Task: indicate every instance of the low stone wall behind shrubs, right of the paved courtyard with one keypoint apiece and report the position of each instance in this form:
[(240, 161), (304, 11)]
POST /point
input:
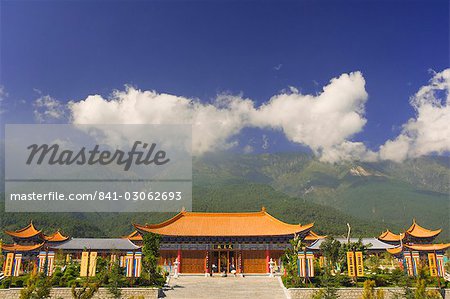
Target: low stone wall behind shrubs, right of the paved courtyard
[(353, 293)]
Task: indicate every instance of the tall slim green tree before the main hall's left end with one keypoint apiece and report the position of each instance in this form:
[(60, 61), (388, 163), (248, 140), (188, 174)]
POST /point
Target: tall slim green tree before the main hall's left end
[(150, 252)]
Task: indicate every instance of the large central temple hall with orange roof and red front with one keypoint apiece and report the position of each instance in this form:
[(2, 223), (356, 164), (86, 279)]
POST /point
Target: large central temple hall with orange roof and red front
[(221, 242)]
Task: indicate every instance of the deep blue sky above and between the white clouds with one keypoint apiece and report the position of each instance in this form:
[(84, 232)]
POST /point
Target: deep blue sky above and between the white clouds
[(72, 49)]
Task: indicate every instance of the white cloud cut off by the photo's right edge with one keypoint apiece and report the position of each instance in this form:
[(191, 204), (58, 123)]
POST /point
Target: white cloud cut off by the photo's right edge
[(429, 131)]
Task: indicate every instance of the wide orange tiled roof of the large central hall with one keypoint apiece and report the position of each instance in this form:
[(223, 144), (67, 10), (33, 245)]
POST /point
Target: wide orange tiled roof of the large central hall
[(224, 224)]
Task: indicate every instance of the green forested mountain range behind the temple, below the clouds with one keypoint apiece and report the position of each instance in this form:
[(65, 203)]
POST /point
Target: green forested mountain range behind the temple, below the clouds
[(294, 187)]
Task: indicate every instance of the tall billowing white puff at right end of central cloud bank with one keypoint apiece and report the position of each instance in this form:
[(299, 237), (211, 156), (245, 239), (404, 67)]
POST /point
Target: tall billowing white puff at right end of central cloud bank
[(323, 122)]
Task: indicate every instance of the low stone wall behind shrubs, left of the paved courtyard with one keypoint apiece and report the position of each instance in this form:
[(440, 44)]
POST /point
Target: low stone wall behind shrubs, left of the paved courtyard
[(66, 293)]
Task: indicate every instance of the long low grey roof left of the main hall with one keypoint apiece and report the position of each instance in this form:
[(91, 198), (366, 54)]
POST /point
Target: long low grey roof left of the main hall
[(96, 244)]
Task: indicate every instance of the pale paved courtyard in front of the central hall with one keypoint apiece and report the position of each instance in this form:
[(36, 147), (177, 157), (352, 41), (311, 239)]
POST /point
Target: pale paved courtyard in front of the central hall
[(260, 287)]
